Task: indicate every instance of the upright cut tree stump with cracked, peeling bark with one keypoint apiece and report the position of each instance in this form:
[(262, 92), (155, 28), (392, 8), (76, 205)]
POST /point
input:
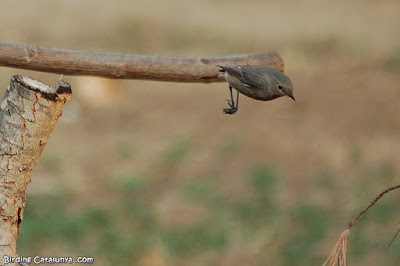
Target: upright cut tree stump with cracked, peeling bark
[(28, 113)]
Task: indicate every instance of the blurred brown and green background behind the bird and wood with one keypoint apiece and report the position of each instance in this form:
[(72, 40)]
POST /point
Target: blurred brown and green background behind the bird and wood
[(153, 173)]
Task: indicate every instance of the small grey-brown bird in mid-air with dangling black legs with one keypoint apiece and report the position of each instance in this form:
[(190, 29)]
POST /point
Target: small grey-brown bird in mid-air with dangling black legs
[(255, 81)]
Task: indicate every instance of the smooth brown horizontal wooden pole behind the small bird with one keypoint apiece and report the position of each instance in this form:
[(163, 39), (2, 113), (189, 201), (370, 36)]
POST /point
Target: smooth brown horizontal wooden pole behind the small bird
[(127, 66)]
